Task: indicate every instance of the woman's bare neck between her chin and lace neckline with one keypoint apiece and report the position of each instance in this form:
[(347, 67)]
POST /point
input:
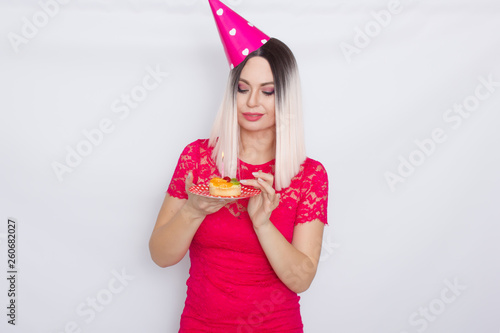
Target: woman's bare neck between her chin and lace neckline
[(257, 147)]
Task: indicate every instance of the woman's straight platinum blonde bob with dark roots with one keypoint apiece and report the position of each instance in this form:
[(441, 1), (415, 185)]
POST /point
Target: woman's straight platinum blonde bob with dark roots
[(290, 145)]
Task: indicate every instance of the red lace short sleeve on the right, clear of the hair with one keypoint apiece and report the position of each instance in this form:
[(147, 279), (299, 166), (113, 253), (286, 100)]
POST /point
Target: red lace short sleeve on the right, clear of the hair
[(314, 194)]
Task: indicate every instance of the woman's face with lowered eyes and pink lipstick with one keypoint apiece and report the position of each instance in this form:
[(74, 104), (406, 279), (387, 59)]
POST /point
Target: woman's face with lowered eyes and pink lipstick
[(255, 96)]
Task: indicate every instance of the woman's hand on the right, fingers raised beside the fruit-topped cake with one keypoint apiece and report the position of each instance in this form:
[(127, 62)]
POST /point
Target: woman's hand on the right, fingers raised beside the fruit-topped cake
[(262, 205)]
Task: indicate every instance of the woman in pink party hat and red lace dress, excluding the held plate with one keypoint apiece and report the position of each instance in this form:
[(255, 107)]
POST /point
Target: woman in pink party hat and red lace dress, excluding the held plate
[(249, 257)]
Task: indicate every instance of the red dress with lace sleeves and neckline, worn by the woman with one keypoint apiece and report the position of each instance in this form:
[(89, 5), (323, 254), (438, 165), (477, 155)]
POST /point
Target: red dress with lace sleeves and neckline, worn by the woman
[(232, 287)]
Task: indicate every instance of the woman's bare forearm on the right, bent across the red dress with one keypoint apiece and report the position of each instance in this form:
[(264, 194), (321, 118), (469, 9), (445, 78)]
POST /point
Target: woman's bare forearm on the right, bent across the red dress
[(295, 269)]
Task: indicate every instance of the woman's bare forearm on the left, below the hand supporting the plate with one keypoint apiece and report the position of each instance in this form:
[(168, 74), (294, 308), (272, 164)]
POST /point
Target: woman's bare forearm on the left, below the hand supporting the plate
[(170, 242)]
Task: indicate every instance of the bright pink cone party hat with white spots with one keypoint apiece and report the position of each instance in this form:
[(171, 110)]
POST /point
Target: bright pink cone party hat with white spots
[(238, 36)]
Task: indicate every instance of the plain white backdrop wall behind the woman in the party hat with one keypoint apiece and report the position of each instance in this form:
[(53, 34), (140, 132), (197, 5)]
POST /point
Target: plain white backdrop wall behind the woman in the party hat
[(388, 256)]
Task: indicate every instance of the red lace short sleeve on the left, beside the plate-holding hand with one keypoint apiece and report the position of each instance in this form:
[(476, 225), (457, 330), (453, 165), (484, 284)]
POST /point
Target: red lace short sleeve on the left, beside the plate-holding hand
[(188, 161)]
